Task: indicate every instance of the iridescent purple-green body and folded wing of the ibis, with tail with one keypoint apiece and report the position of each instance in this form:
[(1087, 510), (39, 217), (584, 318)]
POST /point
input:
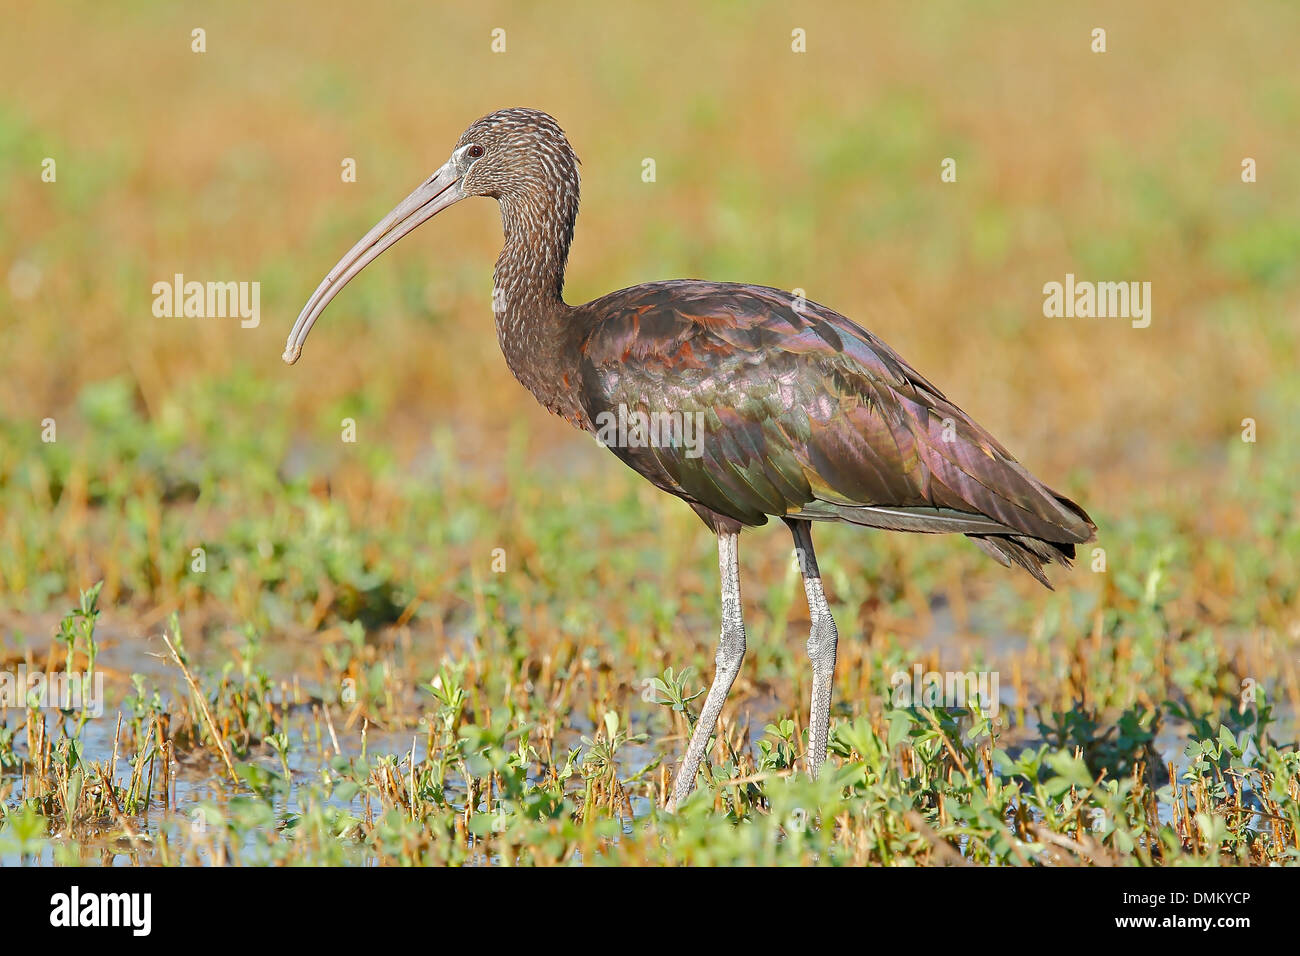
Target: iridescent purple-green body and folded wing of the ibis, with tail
[(803, 413)]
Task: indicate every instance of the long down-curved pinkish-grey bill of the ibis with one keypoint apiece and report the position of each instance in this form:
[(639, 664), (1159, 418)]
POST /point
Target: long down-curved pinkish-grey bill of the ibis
[(431, 198)]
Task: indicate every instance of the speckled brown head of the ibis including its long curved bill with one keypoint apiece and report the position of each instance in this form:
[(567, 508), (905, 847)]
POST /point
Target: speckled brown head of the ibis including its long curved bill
[(521, 158)]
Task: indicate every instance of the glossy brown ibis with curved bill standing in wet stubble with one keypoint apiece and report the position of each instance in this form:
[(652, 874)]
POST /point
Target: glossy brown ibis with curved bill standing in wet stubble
[(744, 401)]
